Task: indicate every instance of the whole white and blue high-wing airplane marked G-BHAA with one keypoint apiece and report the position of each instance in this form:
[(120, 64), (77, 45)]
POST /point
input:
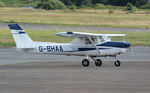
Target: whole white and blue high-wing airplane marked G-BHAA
[(84, 44)]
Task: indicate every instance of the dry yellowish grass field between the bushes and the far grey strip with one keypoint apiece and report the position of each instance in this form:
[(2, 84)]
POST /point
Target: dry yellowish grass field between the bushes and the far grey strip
[(140, 19)]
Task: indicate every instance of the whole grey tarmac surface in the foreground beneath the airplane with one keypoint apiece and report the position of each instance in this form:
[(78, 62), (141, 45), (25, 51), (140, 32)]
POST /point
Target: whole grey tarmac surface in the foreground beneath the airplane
[(35, 73)]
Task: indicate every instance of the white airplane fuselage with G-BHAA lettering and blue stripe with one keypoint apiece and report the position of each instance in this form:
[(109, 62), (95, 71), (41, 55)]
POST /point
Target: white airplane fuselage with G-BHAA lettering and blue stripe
[(73, 49)]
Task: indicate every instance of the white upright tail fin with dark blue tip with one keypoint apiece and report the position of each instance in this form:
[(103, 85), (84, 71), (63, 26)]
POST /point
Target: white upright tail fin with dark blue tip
[(21, 39)]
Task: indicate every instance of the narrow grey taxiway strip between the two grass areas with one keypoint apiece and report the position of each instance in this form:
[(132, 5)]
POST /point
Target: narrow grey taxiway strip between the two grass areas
[(75, 28)]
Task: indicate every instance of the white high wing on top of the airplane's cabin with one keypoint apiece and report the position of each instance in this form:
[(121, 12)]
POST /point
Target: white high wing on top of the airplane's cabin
[(86, 35)]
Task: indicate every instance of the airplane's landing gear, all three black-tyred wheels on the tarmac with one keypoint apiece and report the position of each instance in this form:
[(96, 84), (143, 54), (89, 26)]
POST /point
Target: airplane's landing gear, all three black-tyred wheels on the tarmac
[(98, 62)]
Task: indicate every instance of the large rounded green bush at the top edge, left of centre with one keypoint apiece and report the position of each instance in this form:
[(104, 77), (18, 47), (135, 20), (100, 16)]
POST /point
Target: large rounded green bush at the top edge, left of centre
[(51, 5)]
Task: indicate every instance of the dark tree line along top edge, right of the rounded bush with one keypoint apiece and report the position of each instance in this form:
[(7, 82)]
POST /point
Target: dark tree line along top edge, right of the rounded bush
[(91, 3)]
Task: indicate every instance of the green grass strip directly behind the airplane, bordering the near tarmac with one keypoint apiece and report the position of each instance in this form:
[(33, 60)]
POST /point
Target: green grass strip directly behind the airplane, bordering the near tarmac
[(6, 39)]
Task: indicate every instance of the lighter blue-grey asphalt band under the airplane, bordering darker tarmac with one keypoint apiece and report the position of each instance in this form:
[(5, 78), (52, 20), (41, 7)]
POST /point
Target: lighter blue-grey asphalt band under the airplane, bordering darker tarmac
[(11, 56)]
